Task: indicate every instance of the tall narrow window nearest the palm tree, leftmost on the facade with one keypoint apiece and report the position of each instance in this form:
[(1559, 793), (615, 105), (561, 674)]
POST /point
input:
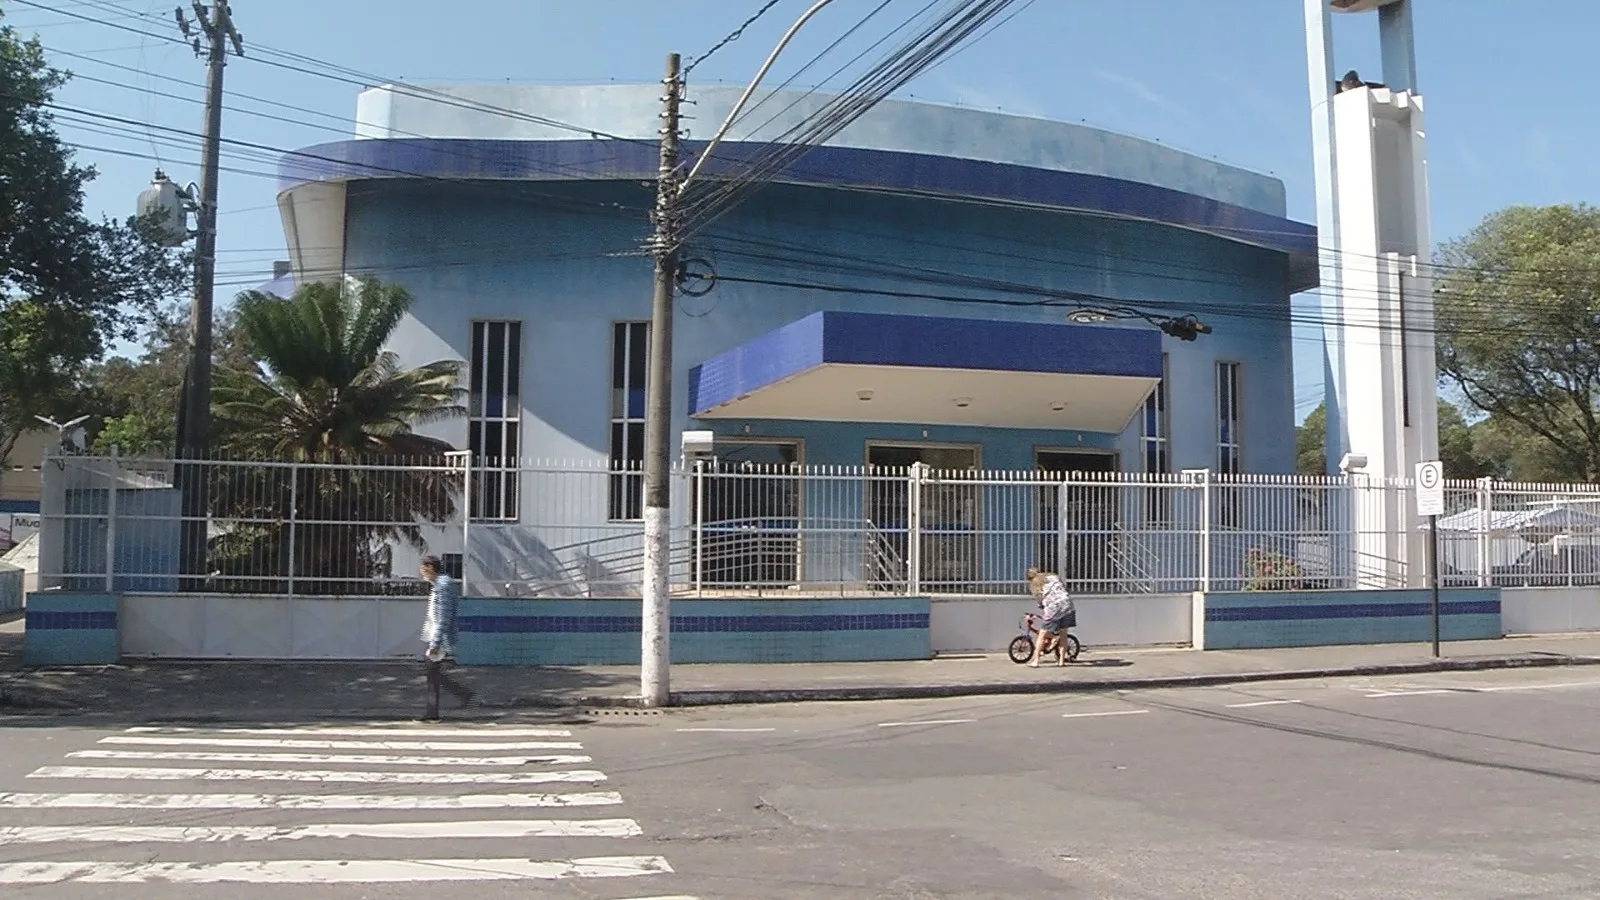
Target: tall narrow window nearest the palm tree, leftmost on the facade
[(495, 419)]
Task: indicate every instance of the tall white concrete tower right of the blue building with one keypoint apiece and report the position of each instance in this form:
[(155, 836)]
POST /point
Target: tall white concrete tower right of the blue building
[(1377, 289)]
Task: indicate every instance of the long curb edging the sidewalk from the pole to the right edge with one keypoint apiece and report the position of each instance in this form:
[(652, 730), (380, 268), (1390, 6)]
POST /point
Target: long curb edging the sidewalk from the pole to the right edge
[(991, 689)]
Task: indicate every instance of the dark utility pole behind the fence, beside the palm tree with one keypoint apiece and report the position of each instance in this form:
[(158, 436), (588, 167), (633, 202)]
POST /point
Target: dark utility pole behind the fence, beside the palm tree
[(194, 414)]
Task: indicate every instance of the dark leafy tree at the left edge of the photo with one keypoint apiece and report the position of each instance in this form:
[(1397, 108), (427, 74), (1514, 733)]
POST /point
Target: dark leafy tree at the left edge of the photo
[(68, 286)]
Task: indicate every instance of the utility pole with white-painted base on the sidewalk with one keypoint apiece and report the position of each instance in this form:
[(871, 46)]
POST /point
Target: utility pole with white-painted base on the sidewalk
[(655, 645)]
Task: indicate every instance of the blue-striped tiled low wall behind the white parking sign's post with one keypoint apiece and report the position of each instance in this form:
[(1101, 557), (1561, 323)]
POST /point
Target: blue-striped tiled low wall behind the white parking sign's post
[(1319, 619)]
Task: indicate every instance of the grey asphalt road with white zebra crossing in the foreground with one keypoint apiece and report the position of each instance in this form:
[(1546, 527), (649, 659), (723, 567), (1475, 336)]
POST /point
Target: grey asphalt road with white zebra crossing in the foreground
[(1444, 787)]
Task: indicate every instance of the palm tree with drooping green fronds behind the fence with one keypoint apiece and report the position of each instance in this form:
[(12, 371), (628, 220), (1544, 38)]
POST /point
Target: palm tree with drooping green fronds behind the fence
[(327, 395)]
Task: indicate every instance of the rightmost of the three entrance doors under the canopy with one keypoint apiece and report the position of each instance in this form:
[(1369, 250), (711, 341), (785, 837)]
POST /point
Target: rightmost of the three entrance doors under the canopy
[(1082, 556)]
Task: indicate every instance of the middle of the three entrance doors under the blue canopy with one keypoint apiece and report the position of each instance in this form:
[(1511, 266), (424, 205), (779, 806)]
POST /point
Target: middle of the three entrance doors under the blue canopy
[(950, 512)]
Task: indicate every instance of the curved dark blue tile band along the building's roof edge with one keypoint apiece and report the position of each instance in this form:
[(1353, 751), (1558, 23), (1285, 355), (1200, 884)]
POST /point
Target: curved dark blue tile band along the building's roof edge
[(825, 167)]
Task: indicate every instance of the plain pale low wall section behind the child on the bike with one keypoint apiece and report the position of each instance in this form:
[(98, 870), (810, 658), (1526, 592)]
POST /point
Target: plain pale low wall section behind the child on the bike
[(1135, 621)]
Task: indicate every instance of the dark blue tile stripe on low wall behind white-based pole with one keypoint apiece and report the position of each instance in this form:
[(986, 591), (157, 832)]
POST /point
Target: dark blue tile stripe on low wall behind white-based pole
[(690, 624)]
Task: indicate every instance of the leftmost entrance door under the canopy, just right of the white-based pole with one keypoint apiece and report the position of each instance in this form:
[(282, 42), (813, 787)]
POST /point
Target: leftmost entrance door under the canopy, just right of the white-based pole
[(750, 515)]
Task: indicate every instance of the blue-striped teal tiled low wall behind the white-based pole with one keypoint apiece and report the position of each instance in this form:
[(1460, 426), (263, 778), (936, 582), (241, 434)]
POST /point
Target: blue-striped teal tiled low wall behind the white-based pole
[(575, 633)]
